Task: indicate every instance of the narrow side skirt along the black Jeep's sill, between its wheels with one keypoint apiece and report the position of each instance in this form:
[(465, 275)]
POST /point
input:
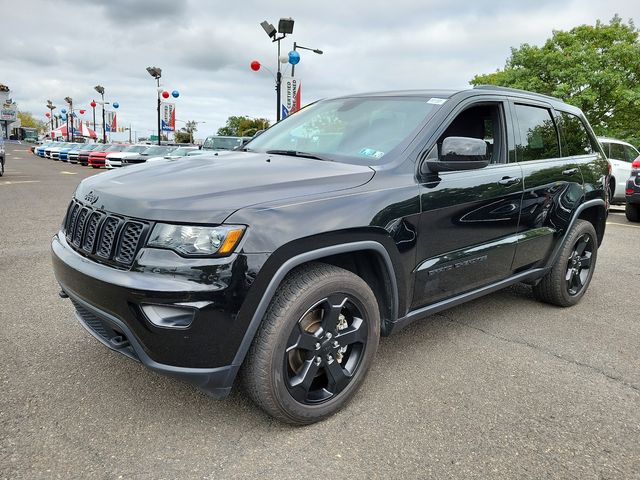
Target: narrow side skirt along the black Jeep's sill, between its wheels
[(420, 313)]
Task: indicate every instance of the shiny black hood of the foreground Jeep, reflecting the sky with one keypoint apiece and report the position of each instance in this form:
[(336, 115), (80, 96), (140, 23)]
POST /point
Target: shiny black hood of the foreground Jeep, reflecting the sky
[(208, 188)]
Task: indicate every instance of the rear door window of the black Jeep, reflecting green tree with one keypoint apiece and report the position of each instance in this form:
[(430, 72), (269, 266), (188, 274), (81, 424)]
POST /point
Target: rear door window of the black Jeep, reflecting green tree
[(538, 134)]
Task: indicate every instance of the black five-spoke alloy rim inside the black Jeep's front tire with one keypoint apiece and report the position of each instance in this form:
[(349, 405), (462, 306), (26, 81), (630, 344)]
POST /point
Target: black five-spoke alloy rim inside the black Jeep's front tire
[(325, 349)]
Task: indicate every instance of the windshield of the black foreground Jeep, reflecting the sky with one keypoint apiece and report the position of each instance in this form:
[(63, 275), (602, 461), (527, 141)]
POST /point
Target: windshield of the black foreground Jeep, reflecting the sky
[(358, 130)]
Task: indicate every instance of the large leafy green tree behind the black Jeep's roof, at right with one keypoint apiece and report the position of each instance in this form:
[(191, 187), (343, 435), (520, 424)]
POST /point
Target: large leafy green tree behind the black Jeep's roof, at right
[(596, 68)]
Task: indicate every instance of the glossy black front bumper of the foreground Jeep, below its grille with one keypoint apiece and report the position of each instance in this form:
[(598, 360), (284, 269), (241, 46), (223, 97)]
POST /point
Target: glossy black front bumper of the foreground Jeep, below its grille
[(109, 303)]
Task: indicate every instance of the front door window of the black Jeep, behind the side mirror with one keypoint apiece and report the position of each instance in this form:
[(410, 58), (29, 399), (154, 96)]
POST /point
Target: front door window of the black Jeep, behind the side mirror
[(481, 122)]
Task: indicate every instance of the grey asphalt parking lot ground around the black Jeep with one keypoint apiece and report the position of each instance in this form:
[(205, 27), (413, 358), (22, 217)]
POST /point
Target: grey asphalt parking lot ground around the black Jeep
[(501, 387)]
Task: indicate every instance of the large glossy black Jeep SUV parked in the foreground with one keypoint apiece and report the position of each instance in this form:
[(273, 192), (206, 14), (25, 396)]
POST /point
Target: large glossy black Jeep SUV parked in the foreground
[(342, 223)]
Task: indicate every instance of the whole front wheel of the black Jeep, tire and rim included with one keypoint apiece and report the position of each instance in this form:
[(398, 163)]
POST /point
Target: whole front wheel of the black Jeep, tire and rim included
[(315, 344)]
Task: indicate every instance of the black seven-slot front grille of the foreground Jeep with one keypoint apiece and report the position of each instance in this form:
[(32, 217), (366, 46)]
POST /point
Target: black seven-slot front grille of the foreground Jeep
[(107, 238)]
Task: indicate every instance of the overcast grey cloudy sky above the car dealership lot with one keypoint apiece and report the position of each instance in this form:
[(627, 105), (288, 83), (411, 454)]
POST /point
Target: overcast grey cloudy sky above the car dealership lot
[(50, 50)]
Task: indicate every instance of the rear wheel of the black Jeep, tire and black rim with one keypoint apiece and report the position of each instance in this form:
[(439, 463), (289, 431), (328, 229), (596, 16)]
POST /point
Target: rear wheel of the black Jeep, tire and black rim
[(568, 280)]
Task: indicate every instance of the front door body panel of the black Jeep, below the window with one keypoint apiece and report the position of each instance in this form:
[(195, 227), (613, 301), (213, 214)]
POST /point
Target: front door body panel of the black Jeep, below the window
[(467, 231)]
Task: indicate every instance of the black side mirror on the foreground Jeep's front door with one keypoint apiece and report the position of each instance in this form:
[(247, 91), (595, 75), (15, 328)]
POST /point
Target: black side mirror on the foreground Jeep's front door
[(458, 153)]
